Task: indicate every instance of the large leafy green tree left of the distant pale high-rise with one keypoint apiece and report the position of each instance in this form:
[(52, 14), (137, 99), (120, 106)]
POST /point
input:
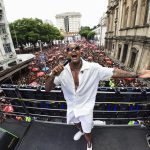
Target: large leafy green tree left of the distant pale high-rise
[(29, 30)]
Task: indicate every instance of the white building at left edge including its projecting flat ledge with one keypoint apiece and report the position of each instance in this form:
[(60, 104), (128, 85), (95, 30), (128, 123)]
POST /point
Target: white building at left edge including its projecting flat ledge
[(10, 63)]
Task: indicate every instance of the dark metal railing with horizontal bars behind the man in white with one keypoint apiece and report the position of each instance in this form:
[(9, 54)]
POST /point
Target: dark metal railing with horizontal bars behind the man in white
[(120, 104)]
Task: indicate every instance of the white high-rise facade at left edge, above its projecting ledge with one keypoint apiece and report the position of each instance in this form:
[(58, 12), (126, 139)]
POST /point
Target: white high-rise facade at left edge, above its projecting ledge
[(7, 51)]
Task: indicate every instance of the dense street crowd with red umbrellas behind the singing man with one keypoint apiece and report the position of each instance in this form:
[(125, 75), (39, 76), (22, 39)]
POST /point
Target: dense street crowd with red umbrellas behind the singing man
[(48, 58)]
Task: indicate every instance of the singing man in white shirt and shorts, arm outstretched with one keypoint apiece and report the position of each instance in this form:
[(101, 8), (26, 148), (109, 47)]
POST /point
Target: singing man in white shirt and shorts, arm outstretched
[(79, 81)]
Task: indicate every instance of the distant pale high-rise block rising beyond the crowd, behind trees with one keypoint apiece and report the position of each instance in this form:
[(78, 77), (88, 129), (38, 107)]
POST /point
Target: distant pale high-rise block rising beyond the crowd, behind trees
[(69, 22)]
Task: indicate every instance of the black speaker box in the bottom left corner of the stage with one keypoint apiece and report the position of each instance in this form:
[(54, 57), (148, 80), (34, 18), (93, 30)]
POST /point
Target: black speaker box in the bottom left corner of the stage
[(8, 141)]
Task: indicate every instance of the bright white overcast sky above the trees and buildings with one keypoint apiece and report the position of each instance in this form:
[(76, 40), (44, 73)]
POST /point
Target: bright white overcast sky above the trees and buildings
[(91, 10)]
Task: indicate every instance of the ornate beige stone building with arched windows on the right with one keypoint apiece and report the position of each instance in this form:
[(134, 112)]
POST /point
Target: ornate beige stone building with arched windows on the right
[(128, 32)]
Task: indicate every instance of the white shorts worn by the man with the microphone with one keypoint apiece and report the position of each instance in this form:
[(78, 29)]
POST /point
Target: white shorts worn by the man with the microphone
[(86, 121)]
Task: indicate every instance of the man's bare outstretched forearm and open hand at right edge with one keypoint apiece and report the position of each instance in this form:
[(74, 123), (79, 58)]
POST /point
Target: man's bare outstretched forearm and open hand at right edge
[(119, 73)]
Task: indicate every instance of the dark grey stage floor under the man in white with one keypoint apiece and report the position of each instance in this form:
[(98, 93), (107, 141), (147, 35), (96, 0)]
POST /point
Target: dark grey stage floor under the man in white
[(48, 136)]
